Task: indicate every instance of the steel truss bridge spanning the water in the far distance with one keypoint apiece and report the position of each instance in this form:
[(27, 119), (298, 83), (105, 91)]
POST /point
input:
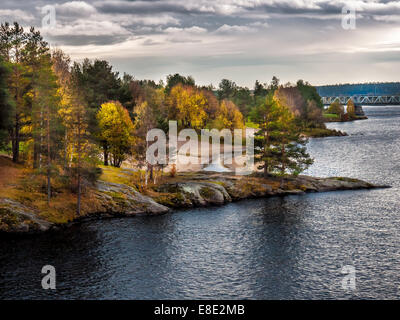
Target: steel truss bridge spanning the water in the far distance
[(363, 99)]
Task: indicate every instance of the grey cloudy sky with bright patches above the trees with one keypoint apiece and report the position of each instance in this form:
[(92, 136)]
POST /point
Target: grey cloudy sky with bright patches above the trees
[(242, 40)]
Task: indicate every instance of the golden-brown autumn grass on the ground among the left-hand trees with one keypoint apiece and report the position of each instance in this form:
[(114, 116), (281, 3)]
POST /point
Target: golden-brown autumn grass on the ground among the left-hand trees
[(24, 186)]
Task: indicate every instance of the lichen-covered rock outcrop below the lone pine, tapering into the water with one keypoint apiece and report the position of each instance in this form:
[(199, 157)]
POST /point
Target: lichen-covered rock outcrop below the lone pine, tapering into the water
[(220, 188)]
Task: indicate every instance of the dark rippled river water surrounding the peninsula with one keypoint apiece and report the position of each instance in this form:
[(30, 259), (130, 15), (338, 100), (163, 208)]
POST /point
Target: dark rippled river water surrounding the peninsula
[(278, 248)]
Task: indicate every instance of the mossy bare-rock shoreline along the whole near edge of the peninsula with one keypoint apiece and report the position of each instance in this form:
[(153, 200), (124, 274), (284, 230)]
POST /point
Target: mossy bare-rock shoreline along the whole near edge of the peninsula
[(185, 191)]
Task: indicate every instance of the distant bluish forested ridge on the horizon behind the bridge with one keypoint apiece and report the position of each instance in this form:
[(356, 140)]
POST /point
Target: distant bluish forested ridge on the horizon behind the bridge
[(384, 88)]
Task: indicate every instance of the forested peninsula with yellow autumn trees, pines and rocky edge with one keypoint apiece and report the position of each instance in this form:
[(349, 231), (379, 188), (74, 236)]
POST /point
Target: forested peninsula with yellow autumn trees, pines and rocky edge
[(73, 138)]
